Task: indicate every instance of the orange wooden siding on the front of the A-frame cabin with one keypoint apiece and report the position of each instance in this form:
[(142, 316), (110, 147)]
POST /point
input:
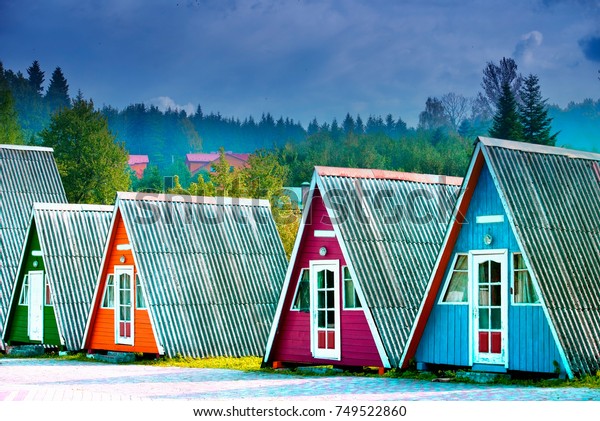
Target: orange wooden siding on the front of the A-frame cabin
[(102, 327)]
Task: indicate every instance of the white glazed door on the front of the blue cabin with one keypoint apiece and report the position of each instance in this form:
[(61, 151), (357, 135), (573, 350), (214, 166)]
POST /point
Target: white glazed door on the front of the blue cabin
[(489, 326)]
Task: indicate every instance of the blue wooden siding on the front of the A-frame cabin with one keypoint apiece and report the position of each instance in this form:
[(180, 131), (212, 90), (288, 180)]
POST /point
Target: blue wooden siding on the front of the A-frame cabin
[(445, 340)]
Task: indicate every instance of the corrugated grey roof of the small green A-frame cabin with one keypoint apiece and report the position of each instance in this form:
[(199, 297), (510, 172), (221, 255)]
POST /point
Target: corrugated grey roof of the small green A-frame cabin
[(72, 239)]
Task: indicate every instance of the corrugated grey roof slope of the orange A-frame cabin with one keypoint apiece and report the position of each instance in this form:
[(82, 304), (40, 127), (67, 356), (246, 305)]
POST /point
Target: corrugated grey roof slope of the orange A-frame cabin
[(212, 268)]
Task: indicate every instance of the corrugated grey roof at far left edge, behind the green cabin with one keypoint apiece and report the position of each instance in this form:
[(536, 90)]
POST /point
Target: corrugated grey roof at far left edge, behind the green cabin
[(27, 175)]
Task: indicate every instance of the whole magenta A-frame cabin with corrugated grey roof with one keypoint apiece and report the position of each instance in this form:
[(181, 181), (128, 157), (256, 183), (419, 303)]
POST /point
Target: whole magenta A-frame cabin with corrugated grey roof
[(363, 254)]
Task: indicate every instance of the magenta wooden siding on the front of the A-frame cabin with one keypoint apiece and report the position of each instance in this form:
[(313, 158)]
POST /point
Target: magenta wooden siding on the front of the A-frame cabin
[(292, 341)]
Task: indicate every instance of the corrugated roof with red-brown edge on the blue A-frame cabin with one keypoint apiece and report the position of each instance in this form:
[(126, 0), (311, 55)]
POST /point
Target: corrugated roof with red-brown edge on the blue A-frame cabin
[(551, 197)]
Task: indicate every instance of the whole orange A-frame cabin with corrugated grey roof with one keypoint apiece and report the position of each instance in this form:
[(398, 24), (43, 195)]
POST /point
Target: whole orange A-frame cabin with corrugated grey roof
[(187, 275)]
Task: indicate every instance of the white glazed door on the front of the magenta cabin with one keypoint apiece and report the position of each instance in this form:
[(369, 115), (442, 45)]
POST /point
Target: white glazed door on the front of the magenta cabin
[(325, 309)]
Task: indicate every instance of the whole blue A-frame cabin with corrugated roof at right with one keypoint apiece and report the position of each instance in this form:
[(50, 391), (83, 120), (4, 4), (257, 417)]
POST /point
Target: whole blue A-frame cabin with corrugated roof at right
[(516, 286)]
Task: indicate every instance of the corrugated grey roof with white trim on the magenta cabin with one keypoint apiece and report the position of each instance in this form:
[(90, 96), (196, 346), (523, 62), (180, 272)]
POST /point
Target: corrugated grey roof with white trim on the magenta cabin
[(390, 226)]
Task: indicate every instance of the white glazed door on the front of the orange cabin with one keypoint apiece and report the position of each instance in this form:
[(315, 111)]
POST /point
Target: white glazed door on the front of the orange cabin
[(124, 305)]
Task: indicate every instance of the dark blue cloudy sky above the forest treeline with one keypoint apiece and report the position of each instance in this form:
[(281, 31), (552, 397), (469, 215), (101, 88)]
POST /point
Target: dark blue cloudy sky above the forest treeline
[(301, 58)]
